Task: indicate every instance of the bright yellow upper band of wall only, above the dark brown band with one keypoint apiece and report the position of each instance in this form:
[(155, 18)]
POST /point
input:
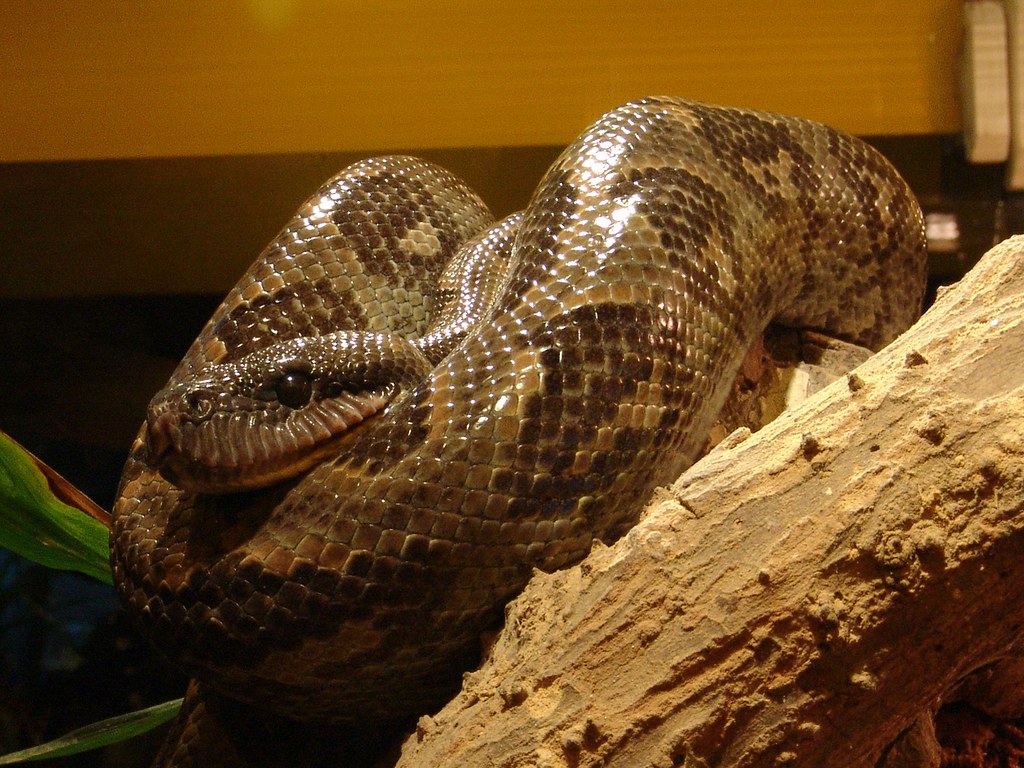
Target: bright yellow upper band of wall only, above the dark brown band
[(88, 79)]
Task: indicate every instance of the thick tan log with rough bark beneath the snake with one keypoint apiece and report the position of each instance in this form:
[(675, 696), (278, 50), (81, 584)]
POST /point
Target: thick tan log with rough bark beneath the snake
[(806, 596)]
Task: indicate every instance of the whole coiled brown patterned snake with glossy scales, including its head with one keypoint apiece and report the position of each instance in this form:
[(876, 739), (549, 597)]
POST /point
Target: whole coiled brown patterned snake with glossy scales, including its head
[(405, 408)]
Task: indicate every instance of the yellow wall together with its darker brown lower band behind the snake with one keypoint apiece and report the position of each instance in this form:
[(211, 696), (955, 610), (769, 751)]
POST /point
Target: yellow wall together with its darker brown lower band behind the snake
[(291, 91)]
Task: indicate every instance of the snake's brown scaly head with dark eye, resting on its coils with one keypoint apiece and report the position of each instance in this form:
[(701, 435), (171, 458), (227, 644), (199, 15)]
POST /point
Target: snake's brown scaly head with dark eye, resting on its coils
[(276, 413)]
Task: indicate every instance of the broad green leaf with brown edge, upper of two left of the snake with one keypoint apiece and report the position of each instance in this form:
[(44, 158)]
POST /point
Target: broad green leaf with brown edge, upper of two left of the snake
[(39, 527)]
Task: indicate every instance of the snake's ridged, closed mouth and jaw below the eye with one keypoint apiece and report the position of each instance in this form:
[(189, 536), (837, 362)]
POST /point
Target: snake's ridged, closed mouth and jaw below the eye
[(229, 452)]
